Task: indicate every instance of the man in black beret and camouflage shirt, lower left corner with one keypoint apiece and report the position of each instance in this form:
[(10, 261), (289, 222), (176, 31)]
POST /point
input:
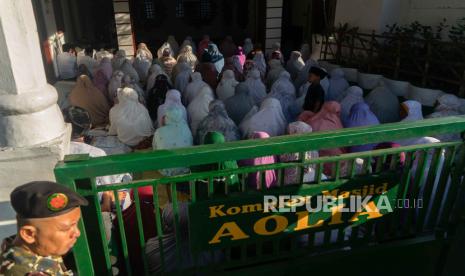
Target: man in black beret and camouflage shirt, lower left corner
[(47, 215)]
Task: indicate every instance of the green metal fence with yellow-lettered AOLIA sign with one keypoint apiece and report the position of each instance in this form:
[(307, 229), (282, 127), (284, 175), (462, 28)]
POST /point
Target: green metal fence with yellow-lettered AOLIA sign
[(226, 229)]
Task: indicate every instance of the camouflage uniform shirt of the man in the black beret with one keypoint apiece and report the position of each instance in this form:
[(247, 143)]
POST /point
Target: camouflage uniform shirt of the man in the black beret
[(17, 261)]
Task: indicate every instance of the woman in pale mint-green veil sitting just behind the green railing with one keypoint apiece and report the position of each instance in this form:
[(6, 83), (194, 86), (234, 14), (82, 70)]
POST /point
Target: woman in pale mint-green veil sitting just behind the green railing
[(174, 133)]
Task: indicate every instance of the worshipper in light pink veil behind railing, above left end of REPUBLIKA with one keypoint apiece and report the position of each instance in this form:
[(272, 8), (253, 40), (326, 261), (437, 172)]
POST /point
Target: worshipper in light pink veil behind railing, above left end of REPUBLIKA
[(270, 175)]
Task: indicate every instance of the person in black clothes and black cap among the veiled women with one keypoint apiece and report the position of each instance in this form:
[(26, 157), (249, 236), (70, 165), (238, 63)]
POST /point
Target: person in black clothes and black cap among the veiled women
[(315, 97)]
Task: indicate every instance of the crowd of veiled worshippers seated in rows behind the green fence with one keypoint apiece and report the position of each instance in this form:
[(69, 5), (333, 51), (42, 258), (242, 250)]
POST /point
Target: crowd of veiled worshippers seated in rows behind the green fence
[(204, 94)]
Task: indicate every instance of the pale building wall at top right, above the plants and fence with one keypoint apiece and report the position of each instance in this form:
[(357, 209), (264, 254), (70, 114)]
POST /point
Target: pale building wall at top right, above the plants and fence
[(371, 15)]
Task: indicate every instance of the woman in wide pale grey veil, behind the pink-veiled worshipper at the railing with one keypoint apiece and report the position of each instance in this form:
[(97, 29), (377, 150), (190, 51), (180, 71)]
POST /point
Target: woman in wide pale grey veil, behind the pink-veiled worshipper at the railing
[(269, 119)]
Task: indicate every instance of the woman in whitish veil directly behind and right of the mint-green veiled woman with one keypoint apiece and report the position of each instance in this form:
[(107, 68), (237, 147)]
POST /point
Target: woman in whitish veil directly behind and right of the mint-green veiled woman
[(198, 109)]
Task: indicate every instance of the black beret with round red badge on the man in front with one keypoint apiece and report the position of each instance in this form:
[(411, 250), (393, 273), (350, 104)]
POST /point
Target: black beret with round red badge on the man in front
[(44, 199)]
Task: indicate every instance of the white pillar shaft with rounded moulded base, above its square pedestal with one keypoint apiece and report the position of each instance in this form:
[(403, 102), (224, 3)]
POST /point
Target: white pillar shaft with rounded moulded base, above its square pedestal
[(29, 115)]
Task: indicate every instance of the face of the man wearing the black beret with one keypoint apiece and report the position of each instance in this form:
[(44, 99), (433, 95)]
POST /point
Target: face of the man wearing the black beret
[(57, 235)]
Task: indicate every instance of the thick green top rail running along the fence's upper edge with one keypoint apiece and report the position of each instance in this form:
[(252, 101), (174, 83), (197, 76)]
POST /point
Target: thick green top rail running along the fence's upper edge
[(147, 161)]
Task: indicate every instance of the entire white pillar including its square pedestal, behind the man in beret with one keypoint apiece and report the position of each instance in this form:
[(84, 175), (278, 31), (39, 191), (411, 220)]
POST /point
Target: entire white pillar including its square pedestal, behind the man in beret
[(33, 135)]
